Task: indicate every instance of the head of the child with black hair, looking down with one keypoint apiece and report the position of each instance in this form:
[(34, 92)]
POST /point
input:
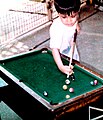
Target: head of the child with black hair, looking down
[(67, 10)]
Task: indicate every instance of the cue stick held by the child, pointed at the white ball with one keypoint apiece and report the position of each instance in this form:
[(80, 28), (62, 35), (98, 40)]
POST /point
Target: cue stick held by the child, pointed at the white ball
[(72, 50)]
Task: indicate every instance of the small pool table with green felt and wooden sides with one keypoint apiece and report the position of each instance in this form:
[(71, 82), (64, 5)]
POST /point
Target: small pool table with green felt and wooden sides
[(35, 73)]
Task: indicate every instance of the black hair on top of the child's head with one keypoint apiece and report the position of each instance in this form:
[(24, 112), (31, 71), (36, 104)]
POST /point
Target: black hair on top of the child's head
[(67, 6)]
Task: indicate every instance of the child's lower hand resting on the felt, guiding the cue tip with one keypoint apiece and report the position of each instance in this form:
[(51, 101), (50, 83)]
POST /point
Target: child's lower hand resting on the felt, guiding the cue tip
[(66, 69)]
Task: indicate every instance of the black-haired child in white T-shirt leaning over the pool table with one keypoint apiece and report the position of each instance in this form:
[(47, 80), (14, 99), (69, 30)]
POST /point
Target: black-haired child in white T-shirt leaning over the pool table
[(62, 32)]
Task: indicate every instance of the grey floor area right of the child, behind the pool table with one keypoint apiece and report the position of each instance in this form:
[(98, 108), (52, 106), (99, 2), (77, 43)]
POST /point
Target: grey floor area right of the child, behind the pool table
[(90, 42)]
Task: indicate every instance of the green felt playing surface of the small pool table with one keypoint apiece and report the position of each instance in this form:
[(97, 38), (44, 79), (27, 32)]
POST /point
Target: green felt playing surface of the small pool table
[(39, 72)]
